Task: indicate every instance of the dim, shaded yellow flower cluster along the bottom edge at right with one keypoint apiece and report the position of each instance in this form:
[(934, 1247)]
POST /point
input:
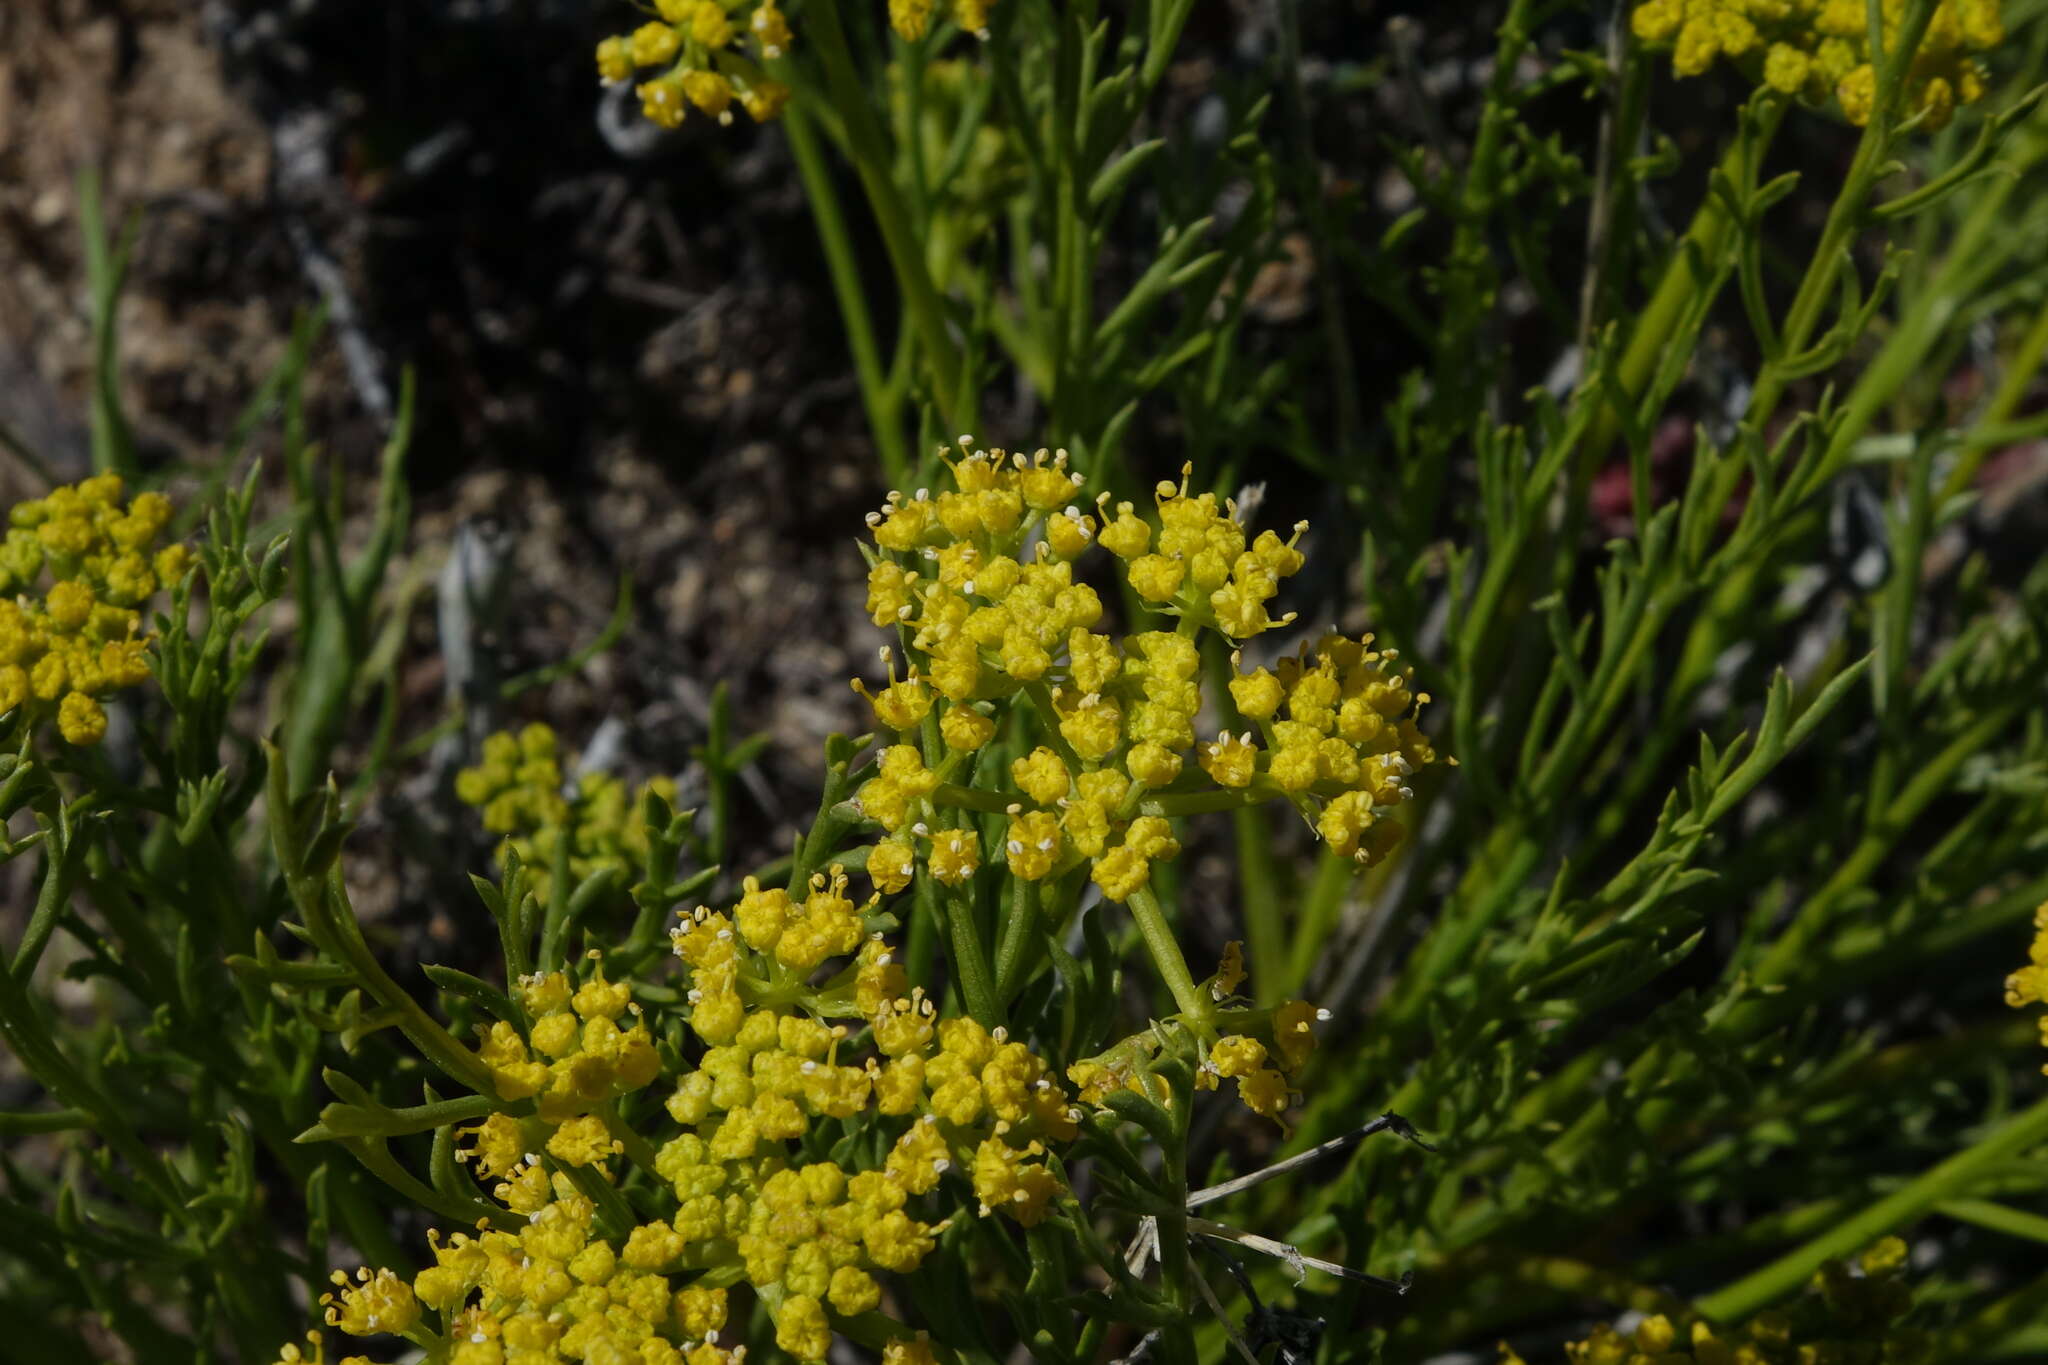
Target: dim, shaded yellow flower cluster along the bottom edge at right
[(1846, 1317)]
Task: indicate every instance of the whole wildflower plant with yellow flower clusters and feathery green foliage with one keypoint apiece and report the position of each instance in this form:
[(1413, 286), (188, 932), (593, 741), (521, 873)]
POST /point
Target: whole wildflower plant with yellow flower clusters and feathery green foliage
[(1629, 787)]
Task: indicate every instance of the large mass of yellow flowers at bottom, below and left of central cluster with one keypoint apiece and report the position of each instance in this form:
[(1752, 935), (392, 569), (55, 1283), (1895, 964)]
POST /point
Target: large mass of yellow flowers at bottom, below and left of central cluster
[(810, 1237)]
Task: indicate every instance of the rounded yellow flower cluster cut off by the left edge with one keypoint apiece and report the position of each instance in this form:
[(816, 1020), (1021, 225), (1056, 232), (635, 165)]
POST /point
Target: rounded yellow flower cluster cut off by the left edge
[(60, 654)]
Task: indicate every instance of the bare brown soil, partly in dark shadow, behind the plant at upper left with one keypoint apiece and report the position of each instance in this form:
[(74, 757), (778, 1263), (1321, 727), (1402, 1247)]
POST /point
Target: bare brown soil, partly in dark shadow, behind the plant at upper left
[(628, 367)]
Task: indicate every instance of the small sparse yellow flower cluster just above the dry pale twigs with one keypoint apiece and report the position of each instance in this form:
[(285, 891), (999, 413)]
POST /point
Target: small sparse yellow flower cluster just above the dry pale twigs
[(1263, 1051)]
